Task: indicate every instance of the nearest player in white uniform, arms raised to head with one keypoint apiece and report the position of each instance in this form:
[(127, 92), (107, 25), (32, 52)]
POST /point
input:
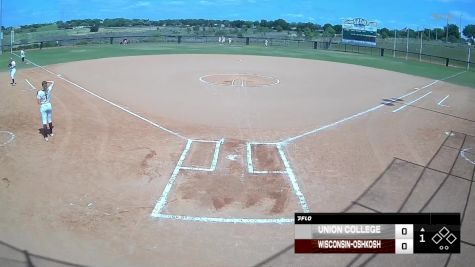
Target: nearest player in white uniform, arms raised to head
[(44, 97)]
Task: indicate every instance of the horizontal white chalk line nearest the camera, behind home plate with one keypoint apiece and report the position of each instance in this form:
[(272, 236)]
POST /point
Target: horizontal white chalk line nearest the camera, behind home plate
[(225, 220)]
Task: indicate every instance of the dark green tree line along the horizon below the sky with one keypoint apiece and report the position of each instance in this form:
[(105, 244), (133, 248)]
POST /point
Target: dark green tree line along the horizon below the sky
[(452, 34)]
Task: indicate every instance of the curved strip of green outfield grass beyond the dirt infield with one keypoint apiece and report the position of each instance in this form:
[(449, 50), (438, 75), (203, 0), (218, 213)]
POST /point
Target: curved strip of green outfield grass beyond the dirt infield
[(67, 54)]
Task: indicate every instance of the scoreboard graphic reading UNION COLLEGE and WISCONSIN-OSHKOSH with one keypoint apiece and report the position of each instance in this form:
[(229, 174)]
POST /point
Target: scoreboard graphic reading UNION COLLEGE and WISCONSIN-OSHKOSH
[(393, 233)]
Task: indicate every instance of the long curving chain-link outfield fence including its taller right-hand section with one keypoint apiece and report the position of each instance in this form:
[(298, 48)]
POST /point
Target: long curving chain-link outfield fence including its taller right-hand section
[(448, 55)]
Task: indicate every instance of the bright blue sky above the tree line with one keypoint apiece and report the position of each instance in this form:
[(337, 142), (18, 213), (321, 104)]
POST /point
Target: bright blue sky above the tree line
[(395, 14)]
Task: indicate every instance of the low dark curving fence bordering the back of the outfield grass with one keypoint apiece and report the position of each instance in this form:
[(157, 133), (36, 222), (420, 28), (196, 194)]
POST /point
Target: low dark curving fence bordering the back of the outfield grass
[(327, 44)]
